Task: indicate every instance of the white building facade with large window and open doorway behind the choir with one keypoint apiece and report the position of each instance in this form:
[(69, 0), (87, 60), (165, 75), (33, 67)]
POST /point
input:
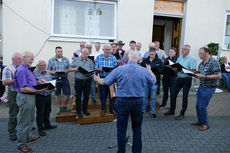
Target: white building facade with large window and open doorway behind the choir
[(41, 25)]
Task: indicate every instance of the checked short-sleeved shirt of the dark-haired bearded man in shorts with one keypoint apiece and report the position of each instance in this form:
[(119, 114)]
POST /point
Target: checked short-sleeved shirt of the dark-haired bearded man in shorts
[(58, 66)]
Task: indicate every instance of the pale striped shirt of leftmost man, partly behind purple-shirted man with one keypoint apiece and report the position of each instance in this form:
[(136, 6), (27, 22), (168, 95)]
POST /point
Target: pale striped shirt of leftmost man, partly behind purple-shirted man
[(8, 74)]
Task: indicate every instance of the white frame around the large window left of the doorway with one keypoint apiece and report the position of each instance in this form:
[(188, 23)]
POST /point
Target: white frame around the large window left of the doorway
[(71, 37)]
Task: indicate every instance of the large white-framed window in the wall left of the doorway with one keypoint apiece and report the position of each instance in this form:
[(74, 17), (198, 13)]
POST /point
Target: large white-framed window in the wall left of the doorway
[(84, 19)]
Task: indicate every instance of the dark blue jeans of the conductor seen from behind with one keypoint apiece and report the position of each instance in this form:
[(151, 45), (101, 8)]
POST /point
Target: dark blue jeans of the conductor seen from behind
[(132, 107)]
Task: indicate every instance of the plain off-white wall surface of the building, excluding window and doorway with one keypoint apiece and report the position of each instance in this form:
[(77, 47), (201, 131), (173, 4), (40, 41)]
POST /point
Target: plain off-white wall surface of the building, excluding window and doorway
[(204, 23)]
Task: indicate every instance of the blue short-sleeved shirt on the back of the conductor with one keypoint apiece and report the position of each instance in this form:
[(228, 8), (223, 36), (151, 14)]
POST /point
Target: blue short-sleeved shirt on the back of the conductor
[(131, 80)]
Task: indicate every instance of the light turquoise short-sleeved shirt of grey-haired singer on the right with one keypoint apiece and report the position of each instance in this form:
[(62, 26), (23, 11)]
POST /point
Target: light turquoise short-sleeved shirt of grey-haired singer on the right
[(187, 62)]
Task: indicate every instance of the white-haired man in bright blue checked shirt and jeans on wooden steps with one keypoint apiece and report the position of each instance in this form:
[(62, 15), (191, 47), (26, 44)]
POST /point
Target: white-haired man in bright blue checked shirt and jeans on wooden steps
[(110, 61)]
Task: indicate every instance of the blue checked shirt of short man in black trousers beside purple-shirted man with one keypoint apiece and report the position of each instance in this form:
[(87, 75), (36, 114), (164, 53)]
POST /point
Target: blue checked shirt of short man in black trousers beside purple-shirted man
[(45, 76)]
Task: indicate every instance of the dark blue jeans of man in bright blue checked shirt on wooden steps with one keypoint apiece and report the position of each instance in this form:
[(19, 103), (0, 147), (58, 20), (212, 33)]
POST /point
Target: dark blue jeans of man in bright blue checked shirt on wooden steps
[(104, 92)]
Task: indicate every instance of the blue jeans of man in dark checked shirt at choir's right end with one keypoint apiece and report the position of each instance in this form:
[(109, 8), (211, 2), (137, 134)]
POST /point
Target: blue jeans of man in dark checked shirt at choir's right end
[(203, 97)]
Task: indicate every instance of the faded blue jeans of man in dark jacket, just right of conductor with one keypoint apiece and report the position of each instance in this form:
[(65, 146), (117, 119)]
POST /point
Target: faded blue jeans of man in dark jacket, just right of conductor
[(152, 92)]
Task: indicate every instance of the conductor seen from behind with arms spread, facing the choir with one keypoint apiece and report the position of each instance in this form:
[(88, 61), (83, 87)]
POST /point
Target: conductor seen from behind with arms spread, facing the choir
[(131, 80)]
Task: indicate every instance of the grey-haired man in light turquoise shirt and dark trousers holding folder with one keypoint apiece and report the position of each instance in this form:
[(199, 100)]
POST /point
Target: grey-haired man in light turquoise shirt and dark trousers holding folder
[(183, 81)]
